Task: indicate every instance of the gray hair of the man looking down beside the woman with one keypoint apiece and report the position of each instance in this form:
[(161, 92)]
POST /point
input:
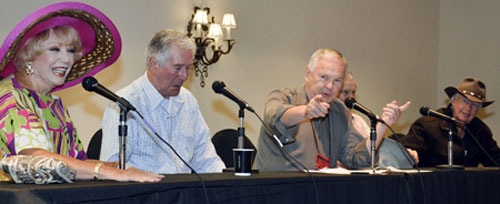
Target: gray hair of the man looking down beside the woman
[(160, 45)]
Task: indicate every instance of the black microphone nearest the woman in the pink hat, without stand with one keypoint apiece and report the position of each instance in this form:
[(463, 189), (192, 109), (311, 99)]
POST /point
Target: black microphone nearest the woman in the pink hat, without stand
[(90, 84)]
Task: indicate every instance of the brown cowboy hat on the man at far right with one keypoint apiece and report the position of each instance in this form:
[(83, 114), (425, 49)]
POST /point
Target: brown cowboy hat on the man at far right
[(471, 88)]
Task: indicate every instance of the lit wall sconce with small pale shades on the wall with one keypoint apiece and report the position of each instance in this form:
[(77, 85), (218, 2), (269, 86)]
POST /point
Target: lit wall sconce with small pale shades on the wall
[(209, 34)]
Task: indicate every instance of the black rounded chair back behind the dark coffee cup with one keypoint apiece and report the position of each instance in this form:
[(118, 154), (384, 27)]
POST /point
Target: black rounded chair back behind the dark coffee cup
[(224, 142)]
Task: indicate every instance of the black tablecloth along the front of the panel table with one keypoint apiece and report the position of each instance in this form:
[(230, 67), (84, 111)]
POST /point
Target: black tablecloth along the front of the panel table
[(470, 186)]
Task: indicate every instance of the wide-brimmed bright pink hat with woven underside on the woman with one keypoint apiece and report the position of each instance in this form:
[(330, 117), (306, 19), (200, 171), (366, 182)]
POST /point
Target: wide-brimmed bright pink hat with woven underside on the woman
[(100, 38)]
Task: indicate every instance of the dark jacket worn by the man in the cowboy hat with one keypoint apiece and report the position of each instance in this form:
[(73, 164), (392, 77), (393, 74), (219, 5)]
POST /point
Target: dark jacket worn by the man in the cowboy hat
[(429, 137)]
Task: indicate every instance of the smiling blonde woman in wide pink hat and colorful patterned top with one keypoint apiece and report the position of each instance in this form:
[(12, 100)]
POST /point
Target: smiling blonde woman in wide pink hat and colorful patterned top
[(51, 49)]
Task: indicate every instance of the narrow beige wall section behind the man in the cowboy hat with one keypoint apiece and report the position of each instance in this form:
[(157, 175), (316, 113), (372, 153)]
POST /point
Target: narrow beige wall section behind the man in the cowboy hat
[(469, 45)]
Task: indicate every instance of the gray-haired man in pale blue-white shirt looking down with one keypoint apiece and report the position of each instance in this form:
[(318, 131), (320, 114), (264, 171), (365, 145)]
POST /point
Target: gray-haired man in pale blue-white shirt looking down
[(167, 107)]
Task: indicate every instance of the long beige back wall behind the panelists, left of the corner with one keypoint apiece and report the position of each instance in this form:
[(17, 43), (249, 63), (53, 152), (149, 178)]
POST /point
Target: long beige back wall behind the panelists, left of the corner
[(392, 48)]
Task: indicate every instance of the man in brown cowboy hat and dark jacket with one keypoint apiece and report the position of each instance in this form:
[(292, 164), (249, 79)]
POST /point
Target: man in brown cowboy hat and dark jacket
[(472, 141)]
